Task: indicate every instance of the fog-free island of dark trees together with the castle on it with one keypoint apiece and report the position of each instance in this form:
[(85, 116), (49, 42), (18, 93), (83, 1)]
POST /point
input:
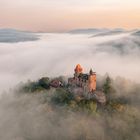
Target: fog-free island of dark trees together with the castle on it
[(65, 92)]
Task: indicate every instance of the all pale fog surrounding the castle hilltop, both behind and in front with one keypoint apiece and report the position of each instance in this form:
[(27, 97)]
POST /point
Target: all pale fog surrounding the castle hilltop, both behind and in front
[(28, 117)]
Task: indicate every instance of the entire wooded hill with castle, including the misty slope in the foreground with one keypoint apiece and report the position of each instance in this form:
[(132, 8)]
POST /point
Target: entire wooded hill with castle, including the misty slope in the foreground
[(58, 108)]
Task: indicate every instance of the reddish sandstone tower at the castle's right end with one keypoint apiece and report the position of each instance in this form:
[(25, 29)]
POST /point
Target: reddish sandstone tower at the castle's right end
[(92, 81)]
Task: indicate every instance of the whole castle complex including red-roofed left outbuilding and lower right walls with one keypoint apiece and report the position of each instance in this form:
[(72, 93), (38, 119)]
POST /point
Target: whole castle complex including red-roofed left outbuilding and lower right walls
[(81, 85)]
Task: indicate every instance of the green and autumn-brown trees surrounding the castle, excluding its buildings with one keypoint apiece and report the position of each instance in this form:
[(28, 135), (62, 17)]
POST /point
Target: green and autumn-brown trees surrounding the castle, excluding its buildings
[(61, 96)]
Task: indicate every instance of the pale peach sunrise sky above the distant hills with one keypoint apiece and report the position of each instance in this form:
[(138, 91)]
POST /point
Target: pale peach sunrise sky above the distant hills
[(64, 15)]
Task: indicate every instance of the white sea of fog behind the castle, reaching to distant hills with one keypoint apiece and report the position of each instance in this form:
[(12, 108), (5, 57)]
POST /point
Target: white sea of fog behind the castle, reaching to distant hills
[(57, 54)]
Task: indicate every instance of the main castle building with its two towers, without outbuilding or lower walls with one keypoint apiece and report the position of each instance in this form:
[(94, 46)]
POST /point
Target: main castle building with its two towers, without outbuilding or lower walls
[(84, 82)]
